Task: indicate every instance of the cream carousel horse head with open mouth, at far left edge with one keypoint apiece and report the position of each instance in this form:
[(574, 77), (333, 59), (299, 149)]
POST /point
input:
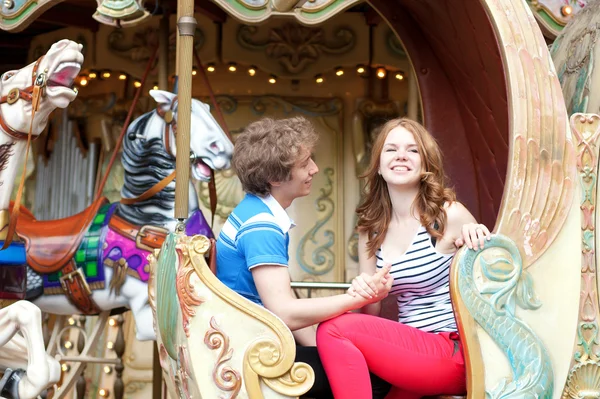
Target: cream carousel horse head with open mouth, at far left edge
[(54, 74)]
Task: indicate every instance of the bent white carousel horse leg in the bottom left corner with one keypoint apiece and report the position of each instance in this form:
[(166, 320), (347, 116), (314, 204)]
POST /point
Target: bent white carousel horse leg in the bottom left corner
[(26, 351)]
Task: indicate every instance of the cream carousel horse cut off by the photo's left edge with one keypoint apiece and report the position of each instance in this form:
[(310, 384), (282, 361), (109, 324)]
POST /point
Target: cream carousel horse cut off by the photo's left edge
[(21, 339)]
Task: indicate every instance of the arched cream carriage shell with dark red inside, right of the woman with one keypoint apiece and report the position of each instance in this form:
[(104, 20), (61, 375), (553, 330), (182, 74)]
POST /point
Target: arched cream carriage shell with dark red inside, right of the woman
[(491, 97)]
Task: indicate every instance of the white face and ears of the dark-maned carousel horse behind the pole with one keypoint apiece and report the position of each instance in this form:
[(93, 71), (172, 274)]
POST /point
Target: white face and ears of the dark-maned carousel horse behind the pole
[(210, 148)]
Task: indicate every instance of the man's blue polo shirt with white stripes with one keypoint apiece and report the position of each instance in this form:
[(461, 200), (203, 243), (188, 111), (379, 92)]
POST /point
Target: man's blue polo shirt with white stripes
[(255, 233)]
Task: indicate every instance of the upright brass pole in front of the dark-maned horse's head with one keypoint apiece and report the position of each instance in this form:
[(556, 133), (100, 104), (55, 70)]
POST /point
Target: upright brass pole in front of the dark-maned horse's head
[(186, 25)]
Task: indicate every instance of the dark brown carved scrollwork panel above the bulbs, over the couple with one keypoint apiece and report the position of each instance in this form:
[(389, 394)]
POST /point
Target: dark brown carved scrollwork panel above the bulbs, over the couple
[(288, 49)]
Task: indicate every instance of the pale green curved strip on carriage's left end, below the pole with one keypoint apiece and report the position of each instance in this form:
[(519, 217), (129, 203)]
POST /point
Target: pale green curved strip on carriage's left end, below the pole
[(167, 304)]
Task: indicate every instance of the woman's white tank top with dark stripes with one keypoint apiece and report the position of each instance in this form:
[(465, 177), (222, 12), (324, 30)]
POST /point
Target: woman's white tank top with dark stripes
[(422, 285)]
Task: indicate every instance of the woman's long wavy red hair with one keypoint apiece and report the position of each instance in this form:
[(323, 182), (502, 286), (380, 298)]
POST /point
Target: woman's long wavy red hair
[(375, 212)]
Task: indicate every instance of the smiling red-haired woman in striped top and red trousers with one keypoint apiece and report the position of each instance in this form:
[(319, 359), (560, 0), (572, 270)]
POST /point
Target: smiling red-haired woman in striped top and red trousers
[(410, 223)]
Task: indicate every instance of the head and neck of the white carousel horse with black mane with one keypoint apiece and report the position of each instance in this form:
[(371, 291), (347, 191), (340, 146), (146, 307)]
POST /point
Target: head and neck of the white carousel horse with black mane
[(149, 157)]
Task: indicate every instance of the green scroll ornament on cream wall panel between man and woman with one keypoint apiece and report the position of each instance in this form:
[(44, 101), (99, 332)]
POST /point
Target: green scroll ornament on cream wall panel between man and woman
[(323, 259)]
